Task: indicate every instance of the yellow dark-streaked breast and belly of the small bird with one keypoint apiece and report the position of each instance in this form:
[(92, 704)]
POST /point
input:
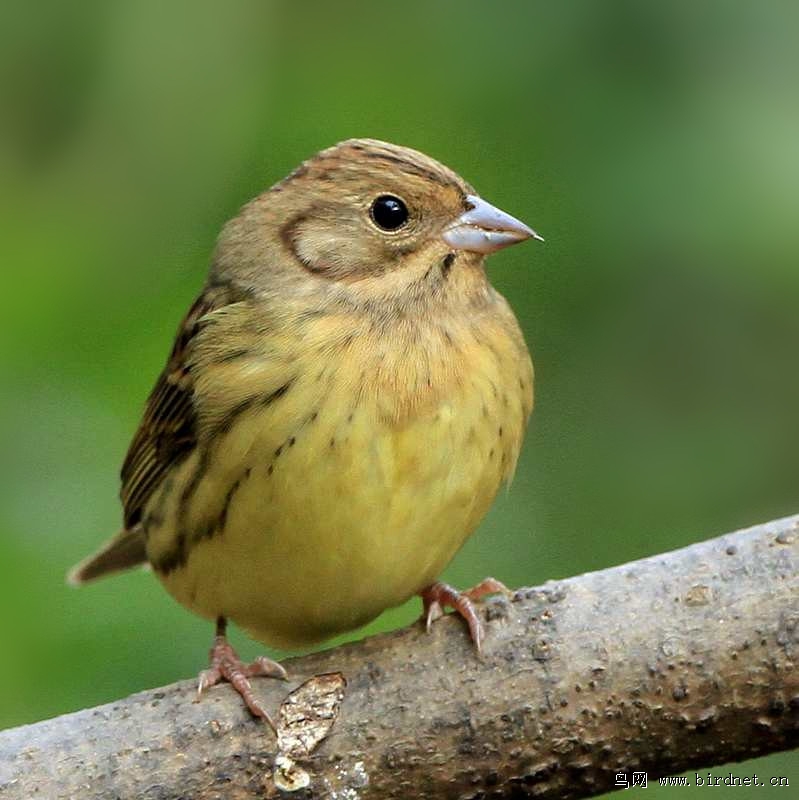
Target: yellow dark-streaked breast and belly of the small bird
[(352, 483)]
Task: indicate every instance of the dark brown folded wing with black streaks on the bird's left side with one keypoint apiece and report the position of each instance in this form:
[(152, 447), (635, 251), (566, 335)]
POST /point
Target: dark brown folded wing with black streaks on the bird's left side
[(167, 433)]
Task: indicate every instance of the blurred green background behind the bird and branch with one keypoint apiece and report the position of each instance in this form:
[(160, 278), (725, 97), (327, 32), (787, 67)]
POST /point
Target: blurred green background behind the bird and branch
[(655, 146)]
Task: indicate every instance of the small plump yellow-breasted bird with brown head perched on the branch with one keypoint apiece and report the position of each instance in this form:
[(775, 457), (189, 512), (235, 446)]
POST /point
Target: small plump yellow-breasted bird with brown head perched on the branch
[(339, 409)]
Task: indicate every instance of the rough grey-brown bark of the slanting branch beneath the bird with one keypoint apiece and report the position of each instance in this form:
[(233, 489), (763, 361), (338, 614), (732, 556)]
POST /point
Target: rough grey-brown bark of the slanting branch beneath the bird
[(687, 659)]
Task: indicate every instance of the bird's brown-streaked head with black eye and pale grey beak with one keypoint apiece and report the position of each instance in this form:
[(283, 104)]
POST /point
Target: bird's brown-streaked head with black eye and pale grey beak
[(377, 219)]
